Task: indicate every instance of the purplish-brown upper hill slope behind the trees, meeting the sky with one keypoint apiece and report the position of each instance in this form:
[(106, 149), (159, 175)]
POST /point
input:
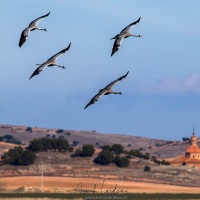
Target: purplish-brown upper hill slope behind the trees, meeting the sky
[(159, 148)]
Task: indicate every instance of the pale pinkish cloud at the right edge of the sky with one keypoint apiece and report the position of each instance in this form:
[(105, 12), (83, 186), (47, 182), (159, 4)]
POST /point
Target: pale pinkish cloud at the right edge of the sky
[(171, 86)]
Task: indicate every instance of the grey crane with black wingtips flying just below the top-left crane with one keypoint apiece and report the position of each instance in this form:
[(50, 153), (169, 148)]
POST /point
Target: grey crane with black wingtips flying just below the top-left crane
[(50, 62)]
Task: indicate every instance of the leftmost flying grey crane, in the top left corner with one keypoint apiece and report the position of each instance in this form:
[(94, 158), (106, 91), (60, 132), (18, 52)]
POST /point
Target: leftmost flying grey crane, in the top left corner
[(31, 27)]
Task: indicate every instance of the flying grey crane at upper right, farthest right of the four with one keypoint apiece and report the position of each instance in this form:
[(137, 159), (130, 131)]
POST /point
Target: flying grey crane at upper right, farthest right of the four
[(123, 34)]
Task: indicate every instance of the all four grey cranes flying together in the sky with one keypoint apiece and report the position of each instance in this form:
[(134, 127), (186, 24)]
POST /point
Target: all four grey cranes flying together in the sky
[(52, 60)]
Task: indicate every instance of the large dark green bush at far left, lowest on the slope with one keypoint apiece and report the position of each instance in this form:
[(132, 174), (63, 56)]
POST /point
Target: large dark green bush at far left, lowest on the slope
[(18, 156)]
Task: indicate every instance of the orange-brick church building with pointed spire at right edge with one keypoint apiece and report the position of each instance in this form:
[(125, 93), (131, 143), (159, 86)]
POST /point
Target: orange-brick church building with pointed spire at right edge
[(192, 155)]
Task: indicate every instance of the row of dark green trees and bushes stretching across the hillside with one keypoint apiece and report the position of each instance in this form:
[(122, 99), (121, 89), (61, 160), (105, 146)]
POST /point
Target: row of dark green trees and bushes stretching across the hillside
[(109, 154)]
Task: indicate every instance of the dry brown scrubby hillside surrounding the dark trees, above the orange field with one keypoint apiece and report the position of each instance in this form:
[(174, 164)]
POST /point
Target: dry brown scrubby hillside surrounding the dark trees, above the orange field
[(56, 164)]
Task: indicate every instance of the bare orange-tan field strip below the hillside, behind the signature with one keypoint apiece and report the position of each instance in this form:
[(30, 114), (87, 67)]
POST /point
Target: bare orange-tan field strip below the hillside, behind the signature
[(61, 184)]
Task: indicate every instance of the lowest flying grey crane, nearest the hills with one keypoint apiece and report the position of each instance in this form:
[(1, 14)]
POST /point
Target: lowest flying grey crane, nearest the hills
[(106, 91)]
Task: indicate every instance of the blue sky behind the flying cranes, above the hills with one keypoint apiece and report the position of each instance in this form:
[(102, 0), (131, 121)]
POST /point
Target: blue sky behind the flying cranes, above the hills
[(161, 94)]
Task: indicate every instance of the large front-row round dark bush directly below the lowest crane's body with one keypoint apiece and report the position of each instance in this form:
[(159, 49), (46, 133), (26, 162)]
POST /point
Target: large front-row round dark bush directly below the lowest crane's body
[(105, 157)]
